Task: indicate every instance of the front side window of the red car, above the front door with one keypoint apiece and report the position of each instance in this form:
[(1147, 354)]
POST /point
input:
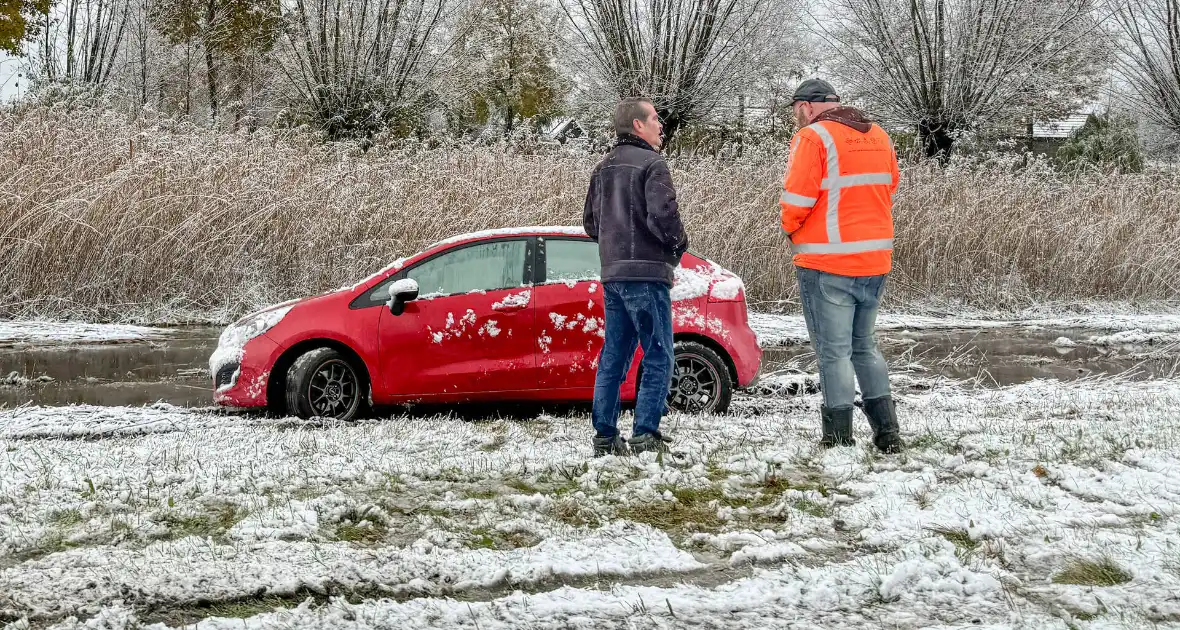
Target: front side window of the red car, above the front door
[(486, 267)]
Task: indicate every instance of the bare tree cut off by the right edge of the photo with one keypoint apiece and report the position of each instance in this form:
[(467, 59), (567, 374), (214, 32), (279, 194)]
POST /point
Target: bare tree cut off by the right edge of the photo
[(1149, 40)]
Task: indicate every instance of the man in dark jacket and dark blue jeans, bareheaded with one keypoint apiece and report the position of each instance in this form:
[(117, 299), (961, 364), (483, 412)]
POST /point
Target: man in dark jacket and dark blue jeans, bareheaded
[(632, 213)]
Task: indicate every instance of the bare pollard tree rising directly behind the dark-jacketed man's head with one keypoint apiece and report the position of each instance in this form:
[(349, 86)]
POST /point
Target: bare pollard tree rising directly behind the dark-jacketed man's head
[(686, 56)]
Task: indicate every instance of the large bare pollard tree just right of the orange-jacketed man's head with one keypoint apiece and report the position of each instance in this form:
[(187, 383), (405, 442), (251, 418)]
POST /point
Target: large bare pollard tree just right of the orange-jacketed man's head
[(949, 65)]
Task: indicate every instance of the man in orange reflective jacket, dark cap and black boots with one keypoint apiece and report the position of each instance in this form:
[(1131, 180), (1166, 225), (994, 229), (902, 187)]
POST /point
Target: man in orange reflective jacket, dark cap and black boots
[(837, 211)]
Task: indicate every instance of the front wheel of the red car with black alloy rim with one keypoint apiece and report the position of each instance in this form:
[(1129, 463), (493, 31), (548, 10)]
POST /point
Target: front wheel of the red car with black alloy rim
[(326, 384)]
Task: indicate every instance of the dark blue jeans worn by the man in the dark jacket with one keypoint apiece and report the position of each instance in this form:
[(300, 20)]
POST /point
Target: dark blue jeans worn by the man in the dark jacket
[(638, 313)]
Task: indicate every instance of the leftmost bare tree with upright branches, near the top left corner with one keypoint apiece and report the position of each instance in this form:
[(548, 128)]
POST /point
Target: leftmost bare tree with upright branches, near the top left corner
[(80, 42)]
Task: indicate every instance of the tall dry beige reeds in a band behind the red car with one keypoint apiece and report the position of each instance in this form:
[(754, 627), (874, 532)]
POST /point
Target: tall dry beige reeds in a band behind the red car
[(159, 221)]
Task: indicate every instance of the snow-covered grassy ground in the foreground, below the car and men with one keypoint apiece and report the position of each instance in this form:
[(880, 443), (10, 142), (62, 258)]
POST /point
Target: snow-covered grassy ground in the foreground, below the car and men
[(1043, 506)]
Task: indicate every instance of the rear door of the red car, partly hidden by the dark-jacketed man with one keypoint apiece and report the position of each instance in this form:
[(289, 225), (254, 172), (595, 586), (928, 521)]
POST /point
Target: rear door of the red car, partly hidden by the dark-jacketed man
[(569, 306)]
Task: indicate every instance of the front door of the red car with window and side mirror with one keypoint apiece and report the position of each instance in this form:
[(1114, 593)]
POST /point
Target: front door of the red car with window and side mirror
[(471, 331)]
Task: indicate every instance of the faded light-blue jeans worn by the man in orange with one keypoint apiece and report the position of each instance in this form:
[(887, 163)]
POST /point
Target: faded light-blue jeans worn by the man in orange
[(842, 317)]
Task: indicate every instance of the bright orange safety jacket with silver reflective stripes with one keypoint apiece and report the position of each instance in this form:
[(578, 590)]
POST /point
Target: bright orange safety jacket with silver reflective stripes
[(838, 199)]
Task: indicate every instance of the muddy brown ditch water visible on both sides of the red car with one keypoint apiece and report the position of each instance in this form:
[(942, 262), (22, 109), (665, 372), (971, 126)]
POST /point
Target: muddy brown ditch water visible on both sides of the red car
[(175, 370)]
